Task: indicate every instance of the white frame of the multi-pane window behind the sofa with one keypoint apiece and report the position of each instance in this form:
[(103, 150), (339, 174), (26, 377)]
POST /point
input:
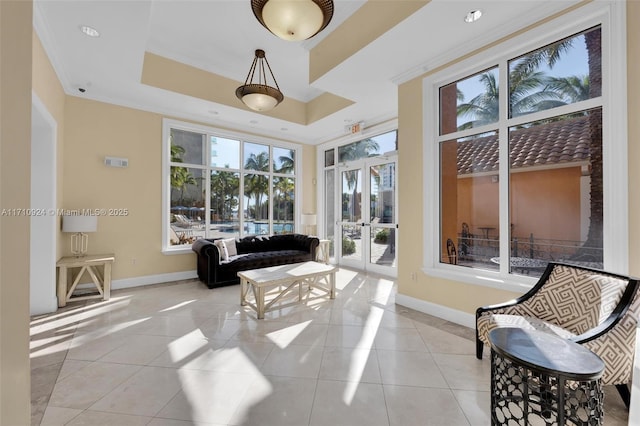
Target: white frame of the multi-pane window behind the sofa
[(168, 124)]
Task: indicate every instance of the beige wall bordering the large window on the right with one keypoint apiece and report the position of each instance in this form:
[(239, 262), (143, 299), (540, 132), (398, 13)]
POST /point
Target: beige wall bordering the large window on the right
[(458, 295)]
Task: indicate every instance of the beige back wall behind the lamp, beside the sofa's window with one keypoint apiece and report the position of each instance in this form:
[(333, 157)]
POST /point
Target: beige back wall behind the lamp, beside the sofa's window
[(94, 130)]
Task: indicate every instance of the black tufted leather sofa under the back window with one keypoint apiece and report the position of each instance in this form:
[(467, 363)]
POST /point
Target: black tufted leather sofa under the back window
[(253, 252)]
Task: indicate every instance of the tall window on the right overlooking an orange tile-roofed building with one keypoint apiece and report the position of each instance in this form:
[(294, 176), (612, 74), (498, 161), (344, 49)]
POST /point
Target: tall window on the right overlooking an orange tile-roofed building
[(520, 151)]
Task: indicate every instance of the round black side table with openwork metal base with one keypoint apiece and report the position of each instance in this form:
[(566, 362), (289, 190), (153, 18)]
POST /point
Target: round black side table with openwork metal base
[(541, 379)]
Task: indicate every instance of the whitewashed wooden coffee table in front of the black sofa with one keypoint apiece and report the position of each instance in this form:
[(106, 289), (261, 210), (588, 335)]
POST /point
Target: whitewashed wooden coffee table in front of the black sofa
[(282, 280)]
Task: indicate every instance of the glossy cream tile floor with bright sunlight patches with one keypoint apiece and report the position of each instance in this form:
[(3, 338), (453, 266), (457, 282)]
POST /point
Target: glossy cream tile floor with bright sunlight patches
[(181, 354)]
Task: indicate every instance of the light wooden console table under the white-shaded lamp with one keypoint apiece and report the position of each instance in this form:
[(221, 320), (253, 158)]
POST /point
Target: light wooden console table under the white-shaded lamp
[(89, 264)]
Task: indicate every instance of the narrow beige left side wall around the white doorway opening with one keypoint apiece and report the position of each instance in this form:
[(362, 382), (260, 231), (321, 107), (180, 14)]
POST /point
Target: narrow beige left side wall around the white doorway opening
[(48, 88)]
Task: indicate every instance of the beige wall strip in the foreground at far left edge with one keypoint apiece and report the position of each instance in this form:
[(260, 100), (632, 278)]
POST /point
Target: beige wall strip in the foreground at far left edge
[(15, 175)]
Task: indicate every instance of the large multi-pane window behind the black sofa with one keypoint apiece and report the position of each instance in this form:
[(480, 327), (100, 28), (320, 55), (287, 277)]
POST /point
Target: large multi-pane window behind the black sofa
[(212, 193)]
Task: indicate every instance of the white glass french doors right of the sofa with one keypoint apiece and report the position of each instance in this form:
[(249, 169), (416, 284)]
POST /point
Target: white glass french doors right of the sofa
[(367, 215)]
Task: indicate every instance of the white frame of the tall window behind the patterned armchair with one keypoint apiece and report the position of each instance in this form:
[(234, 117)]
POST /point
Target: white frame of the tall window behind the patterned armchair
[(611, 16)]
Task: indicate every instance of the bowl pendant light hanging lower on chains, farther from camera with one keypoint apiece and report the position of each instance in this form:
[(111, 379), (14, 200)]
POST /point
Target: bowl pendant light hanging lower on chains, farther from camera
[(259, 96)]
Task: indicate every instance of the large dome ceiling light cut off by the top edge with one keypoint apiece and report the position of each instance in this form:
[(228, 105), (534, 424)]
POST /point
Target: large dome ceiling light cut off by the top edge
[(293, 20)]
